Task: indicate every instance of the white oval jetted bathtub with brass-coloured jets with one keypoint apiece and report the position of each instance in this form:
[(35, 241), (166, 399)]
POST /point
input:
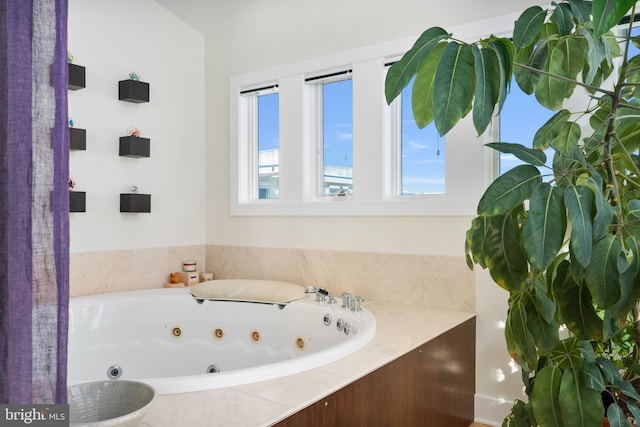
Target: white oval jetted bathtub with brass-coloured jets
[(176, 343)]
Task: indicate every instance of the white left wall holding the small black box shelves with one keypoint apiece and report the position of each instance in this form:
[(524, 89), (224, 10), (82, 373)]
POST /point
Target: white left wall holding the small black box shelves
[(111, 39)]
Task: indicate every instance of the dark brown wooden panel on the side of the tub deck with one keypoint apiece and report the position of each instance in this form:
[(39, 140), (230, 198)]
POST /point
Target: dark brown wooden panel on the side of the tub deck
[(432, 385)]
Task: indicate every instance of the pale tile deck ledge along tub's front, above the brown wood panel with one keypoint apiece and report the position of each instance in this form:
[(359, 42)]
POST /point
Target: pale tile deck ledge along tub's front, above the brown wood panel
[(265, 403)]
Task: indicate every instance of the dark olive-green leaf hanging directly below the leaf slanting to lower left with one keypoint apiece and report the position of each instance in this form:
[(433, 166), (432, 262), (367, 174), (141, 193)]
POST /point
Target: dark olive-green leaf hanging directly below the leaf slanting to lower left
[(503, 255)]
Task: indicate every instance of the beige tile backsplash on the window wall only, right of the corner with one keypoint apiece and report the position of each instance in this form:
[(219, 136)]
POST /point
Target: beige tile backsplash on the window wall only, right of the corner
[(436, 281)]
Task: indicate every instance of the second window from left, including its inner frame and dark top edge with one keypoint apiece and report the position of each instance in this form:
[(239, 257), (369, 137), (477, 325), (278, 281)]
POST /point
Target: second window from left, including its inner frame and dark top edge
[(335, 133)]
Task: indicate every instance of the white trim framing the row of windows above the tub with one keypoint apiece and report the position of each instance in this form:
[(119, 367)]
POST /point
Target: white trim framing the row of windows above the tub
[(375, 191)]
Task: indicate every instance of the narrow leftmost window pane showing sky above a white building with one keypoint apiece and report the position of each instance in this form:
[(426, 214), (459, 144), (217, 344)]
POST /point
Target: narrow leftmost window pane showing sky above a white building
[(268, 146)]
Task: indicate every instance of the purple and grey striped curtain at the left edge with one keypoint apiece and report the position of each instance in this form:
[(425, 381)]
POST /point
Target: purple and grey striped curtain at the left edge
[(34, 201)]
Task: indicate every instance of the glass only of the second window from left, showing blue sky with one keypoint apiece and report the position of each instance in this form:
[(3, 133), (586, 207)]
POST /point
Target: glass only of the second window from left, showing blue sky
[(337, 131)]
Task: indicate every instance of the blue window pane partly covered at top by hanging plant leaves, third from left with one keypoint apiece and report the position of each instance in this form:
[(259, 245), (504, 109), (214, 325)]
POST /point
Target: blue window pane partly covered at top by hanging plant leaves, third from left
[(422, 157)]
